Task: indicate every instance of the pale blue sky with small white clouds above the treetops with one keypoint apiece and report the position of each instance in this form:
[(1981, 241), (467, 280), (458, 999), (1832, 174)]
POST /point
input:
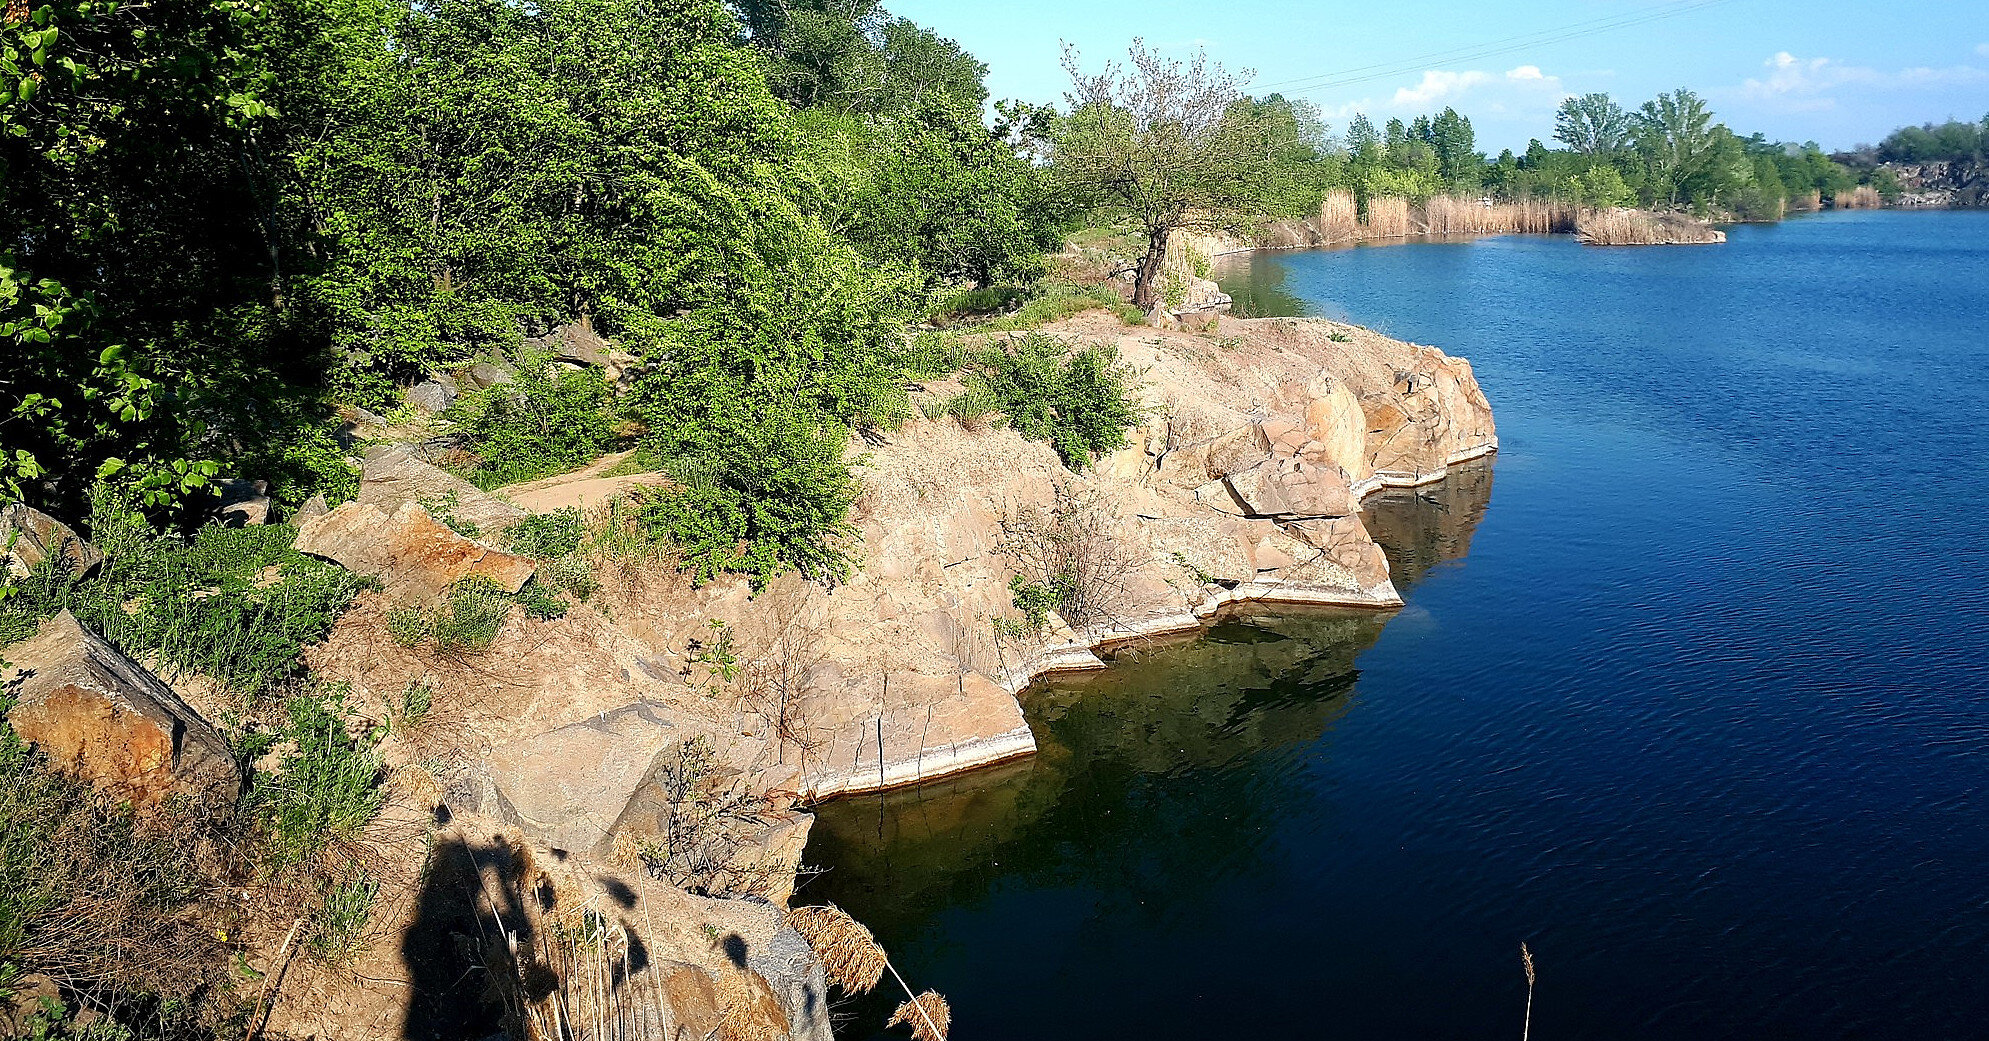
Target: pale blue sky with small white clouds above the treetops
[(1803, 71)]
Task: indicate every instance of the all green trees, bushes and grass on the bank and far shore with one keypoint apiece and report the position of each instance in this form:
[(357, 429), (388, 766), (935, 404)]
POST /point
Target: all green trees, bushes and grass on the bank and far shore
[(236, 236)]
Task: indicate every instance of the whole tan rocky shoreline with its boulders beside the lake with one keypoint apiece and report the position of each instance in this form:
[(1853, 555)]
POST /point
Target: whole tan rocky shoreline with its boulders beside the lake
[(693, 726)]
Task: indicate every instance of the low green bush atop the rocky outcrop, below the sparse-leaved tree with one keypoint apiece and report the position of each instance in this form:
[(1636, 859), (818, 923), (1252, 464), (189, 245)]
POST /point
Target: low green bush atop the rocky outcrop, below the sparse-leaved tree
[(1077, 401)]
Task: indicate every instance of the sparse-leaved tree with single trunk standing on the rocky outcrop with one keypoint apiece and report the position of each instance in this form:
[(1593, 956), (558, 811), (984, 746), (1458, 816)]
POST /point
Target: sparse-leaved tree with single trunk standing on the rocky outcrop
[(1165, 144)]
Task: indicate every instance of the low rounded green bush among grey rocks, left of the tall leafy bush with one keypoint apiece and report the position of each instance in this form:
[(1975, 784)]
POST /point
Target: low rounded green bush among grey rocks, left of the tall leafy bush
[(548, 421)]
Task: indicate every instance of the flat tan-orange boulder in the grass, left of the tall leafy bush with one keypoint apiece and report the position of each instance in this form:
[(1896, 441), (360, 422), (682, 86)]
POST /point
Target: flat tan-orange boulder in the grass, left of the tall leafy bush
[(413, 554)]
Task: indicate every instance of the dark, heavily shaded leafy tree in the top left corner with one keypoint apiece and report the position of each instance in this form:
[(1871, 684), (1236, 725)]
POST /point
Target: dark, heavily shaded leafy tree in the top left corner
[(140, 280)]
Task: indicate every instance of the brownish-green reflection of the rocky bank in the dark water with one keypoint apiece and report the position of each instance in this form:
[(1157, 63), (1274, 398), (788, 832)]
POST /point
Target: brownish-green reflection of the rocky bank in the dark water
[(1157, 777)]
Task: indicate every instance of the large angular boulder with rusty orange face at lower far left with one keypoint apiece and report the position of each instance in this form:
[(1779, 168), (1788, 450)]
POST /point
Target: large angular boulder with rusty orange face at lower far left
[(102, 718)]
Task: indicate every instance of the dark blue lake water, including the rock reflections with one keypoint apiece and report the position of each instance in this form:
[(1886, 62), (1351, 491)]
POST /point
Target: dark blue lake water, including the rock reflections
[(1692, 694)]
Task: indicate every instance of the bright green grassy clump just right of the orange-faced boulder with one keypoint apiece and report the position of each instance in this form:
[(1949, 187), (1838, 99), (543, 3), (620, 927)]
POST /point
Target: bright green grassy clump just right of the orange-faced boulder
[(327, 787)]
